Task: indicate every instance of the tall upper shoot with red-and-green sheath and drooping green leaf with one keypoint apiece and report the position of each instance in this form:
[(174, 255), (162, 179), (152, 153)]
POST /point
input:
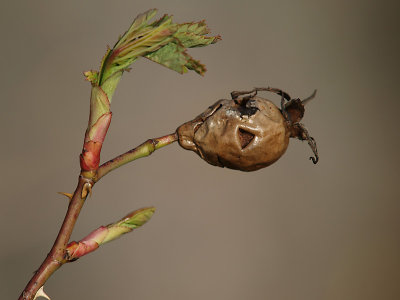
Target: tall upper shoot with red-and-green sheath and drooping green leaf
[(161, 41)]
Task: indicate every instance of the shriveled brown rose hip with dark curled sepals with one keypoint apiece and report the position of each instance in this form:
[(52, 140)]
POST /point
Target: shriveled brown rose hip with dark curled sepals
[(246, 133)]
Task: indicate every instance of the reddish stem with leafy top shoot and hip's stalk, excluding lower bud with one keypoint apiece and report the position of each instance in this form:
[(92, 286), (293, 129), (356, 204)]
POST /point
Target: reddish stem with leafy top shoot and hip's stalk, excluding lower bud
[(161, 41)]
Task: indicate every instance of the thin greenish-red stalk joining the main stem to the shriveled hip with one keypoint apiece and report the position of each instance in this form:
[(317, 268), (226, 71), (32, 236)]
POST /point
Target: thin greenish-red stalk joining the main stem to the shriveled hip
[(142, 150)]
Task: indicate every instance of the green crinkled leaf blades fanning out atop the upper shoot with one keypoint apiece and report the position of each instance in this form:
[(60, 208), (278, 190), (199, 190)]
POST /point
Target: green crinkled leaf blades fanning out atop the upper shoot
[(161, 41)]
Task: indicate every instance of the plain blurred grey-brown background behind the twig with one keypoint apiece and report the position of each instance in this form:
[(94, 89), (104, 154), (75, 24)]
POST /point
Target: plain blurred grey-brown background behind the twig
[(290, 231)]
